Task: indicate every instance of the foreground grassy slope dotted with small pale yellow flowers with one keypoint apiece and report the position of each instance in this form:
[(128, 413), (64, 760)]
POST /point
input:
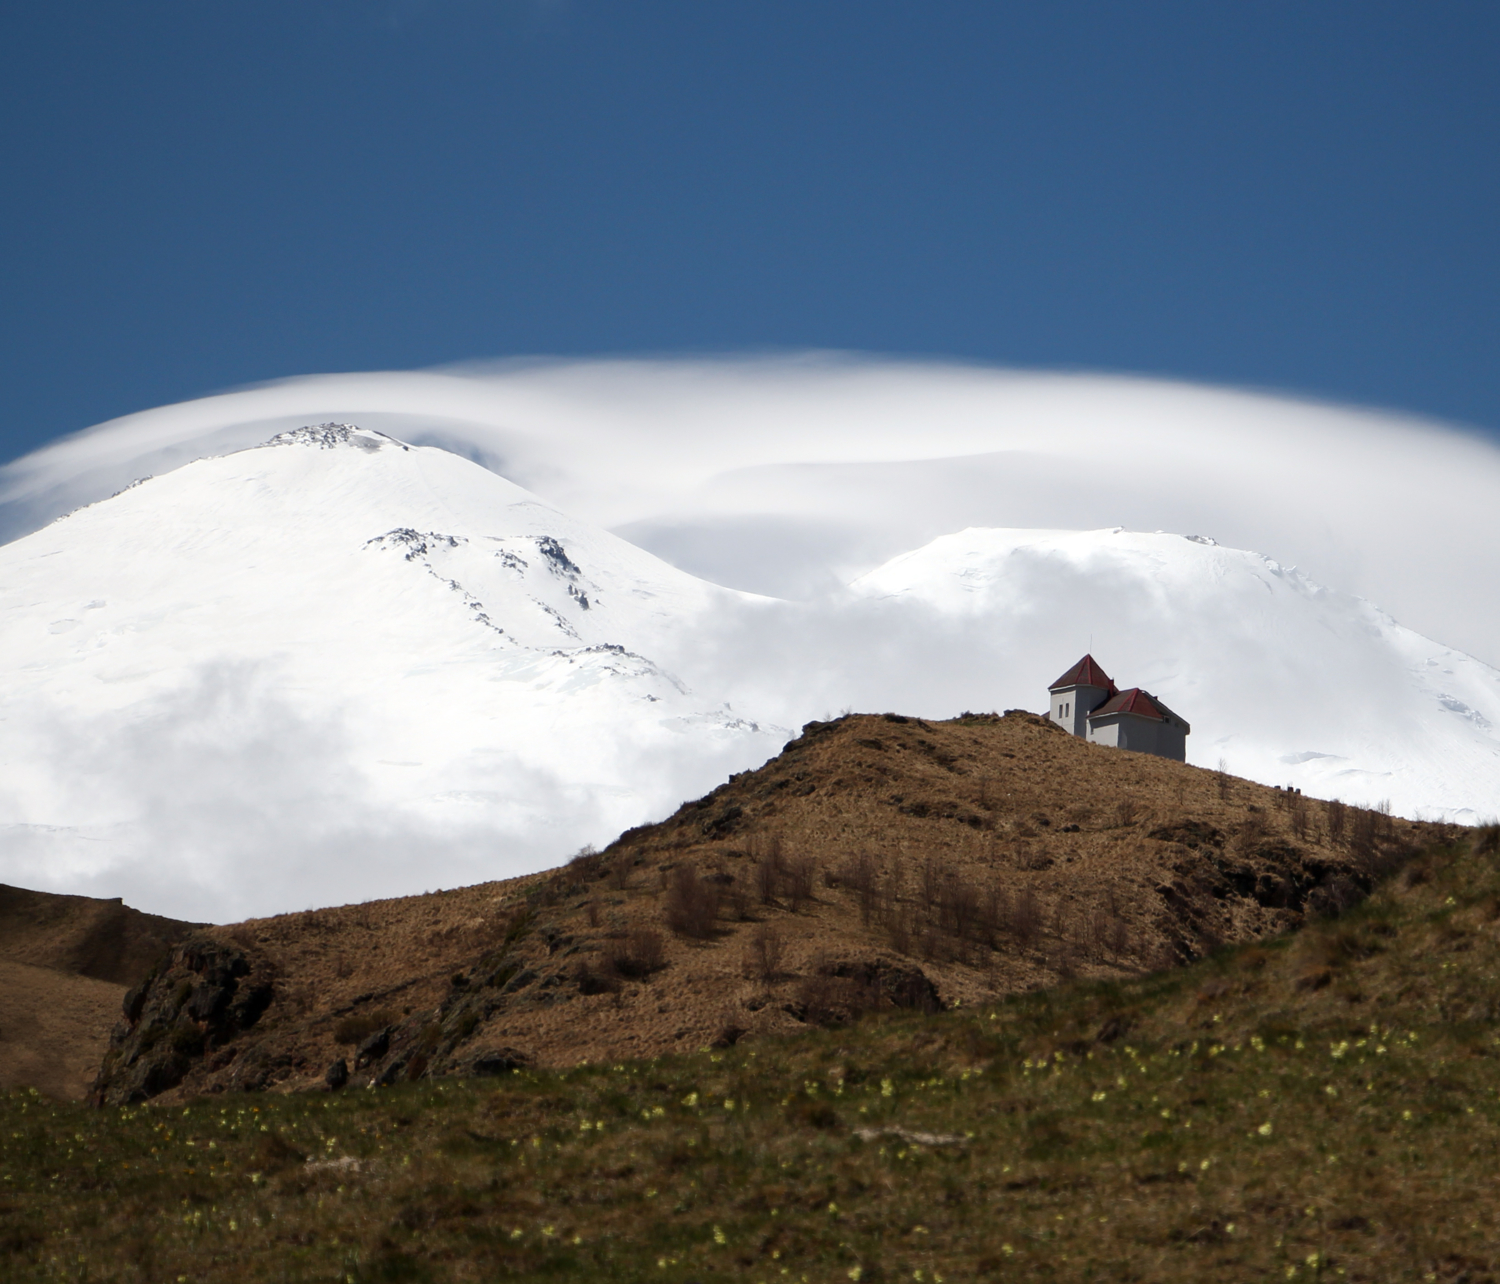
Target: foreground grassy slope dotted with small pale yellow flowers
[(1324, 1106)]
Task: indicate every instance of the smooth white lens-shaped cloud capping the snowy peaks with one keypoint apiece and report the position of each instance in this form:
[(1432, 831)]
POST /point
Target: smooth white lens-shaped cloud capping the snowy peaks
[(791, 475)]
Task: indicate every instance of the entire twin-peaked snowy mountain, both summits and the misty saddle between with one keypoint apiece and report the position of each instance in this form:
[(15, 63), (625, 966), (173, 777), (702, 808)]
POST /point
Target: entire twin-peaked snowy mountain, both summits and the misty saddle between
[(338, 667)]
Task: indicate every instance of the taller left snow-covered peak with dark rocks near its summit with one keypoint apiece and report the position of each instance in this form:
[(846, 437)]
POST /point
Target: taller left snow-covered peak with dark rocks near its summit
[(331, 668)]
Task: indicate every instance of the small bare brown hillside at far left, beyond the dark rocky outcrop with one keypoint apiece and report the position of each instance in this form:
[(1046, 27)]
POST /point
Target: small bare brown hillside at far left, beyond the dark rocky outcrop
[(65, 965)]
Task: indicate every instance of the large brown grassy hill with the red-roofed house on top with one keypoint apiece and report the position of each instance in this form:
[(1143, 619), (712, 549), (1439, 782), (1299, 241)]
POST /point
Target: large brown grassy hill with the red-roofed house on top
[(878, 862)]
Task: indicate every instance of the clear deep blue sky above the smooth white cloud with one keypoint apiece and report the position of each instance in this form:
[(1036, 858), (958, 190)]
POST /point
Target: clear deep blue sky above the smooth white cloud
[(200, 196)]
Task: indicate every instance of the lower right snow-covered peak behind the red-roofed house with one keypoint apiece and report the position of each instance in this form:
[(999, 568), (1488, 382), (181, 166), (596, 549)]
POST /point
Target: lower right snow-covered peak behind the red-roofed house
[(1283, 680)]
